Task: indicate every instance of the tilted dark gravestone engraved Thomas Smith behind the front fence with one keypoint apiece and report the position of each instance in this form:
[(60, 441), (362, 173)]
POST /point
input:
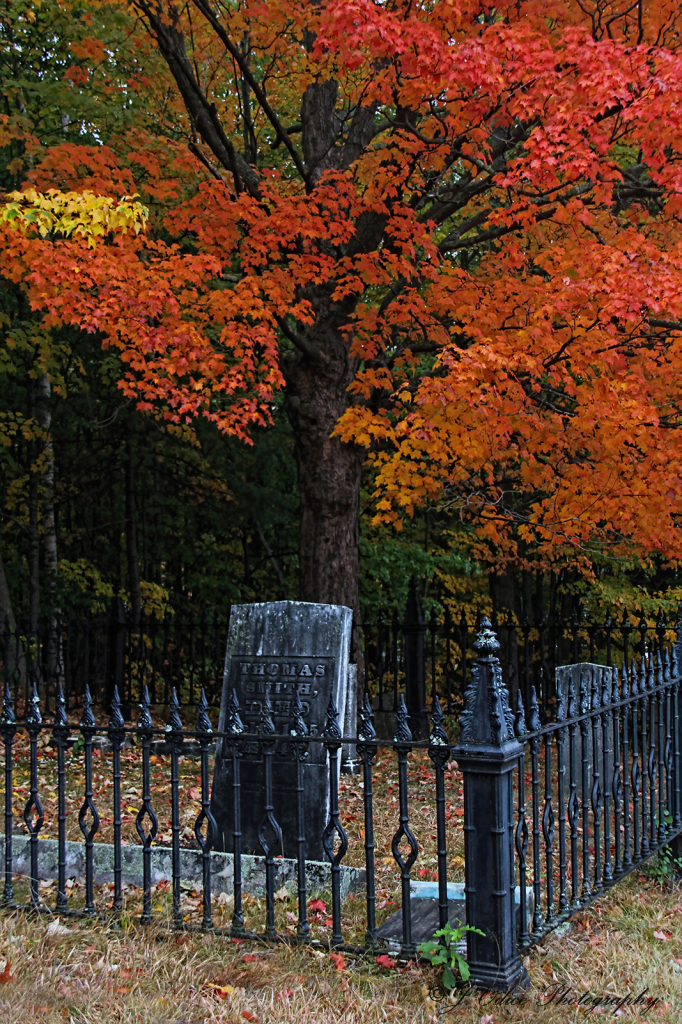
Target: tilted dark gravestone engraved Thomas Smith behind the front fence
[(279, 649)]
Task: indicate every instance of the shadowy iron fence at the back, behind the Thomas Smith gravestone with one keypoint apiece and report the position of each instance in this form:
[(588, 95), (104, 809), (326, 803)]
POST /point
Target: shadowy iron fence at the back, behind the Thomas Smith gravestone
[(411, 654)]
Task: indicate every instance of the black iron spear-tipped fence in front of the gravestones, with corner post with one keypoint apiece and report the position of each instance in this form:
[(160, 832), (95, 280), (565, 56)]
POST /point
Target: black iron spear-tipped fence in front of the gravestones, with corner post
[(560, 808)]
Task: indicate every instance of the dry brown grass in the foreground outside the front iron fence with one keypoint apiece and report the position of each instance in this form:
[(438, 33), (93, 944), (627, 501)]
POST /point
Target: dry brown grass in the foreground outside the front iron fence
[(101, 973)]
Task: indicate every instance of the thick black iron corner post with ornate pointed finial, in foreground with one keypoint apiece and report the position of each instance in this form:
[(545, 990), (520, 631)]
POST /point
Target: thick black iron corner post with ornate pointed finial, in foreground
[(488, 753)]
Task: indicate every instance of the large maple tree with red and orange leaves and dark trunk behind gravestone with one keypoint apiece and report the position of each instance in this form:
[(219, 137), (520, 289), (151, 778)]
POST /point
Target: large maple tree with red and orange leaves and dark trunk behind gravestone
[(448, 232)]
